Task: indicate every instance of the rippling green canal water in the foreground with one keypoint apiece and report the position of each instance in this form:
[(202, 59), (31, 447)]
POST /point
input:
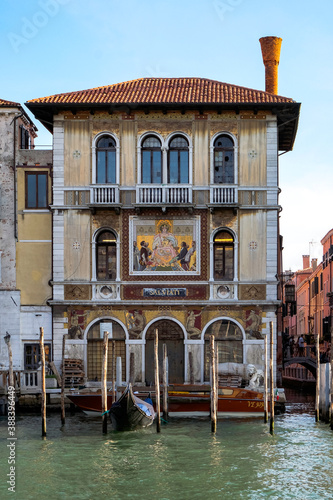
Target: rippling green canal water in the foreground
[(185, 461)]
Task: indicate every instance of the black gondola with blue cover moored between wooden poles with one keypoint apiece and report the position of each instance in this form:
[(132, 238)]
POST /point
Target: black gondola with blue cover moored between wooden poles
[(131, 412)]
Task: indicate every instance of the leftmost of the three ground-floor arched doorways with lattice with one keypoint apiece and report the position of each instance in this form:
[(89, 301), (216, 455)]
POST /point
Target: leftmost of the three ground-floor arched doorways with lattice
[(95, 349)]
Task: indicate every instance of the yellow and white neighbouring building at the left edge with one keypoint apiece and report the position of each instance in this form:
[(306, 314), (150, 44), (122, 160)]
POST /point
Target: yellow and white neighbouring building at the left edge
[(25, 238)]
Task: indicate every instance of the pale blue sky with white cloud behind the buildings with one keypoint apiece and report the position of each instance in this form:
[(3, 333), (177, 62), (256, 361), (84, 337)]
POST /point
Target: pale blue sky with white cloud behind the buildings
[(54, 46)]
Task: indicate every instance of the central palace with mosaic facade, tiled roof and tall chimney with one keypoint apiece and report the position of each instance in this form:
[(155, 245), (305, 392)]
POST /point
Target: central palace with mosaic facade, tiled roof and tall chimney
[(165, 215)]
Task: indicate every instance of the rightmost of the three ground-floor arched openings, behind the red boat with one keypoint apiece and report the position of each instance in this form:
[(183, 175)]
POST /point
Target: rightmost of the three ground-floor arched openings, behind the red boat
[(229, 340)]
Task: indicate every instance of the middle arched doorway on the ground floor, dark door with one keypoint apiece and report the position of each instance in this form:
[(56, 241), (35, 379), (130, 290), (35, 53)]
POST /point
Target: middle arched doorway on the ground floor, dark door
[(171, 334)]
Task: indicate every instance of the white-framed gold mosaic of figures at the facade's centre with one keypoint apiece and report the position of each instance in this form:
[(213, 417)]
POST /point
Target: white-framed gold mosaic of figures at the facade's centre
[(164, 246)]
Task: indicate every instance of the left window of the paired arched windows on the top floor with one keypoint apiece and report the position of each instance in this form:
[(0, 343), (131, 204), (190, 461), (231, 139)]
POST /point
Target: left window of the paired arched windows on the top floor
[(151, 161)]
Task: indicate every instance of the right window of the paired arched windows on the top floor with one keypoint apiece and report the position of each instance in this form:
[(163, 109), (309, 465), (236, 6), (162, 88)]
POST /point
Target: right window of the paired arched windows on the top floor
[(178, 161)]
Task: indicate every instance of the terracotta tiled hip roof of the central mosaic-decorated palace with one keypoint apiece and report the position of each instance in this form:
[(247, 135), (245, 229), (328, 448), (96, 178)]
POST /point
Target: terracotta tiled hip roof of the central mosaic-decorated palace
[(165, 91)]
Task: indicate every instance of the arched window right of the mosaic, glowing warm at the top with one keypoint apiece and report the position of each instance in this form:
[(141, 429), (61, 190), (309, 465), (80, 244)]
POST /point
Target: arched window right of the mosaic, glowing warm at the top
[(223, 256)]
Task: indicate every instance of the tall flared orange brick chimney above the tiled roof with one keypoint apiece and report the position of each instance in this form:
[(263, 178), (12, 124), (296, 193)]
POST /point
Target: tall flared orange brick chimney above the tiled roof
[(270, 48)]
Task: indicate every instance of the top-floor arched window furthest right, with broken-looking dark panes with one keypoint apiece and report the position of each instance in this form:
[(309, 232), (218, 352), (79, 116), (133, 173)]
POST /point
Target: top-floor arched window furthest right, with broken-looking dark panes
[(223, 160)]
